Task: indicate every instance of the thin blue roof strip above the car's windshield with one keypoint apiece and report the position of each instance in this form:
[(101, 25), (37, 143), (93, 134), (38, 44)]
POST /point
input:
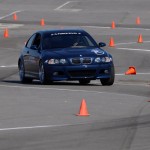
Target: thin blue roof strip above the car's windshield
[(61, 31)]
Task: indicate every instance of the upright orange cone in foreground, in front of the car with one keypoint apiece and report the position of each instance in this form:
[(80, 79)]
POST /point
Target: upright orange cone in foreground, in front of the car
[(83, 109)]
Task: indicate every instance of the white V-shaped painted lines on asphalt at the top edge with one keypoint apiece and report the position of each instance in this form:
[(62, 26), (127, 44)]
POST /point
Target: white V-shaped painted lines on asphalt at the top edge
[(60, 8)]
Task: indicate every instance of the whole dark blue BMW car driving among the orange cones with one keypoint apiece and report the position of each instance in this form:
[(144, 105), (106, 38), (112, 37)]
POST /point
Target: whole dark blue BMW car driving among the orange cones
[(68, 54)]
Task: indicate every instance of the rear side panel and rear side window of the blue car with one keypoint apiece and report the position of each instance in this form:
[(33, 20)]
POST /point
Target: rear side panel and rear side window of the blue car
[(27, 53)]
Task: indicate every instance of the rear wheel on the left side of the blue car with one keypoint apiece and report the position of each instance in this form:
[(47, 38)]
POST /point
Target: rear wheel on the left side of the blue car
[(23, 79)]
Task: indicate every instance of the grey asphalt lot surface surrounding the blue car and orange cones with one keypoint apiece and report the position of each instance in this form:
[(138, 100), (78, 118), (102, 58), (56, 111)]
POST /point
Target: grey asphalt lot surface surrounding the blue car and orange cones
[(35, 117)]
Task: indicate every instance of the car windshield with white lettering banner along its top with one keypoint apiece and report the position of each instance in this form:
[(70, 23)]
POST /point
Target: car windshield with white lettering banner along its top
[(67, 40)]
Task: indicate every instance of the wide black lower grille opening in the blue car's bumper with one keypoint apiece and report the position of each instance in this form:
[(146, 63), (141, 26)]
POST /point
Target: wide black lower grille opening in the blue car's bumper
[(82, 73)]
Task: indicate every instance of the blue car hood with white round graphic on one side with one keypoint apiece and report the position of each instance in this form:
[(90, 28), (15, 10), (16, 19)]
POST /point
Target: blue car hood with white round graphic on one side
[(75, 52)]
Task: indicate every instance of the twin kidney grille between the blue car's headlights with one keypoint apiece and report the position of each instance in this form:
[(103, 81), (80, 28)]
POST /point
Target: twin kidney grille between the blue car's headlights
[(82, 60)]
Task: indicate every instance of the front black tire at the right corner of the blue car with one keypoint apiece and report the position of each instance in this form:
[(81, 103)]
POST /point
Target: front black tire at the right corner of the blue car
[(109, 81)]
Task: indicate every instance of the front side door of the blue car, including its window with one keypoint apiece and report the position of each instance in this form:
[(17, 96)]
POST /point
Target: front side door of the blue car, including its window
[(35, 52)]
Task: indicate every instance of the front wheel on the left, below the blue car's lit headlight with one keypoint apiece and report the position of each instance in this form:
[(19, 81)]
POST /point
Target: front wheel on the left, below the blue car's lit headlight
[(42, 76)]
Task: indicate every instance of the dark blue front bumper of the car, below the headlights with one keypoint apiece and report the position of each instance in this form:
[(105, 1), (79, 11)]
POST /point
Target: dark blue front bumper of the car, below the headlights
[(92, 72)]
